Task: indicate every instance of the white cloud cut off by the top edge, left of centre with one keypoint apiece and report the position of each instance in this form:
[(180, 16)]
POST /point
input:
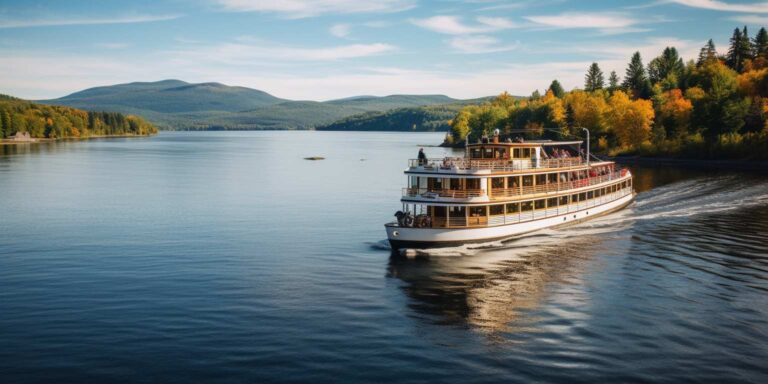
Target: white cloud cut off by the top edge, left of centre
[(310, 8)]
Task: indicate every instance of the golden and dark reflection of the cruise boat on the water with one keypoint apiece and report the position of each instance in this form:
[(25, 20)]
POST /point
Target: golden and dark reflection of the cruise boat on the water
[(499, 290)]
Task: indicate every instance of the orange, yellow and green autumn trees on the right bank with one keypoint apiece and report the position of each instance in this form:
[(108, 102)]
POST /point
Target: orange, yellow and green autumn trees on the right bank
[(711, 107)]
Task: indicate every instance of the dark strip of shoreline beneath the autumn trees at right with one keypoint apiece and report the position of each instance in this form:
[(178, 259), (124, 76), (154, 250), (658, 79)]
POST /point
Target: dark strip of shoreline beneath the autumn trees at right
[(741, 165)]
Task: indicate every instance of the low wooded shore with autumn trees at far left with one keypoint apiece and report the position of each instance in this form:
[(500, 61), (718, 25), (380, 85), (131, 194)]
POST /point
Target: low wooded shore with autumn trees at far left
[(47, 121)]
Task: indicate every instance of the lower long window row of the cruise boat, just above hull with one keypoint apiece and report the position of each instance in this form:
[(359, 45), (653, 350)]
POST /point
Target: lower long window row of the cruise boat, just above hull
[(526, 206)]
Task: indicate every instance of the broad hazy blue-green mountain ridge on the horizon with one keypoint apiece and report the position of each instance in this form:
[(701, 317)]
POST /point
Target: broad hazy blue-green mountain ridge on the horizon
[(175, 104)]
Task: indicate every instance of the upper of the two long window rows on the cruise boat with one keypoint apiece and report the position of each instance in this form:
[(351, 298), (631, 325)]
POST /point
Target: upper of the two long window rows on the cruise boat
[(508, 182)]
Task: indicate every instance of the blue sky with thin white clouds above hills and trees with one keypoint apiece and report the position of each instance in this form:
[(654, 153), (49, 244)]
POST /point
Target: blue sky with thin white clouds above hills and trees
[(329, 49)]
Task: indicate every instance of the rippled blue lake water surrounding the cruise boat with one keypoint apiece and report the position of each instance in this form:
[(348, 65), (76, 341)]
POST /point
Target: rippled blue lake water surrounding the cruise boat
[(227, 257)]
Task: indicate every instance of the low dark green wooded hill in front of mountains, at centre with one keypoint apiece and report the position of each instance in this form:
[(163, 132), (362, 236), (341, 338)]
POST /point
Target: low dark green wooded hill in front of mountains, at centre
[(431, 118)]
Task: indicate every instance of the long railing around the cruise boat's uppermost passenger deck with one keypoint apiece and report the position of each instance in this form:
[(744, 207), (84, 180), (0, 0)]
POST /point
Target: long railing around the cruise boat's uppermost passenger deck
[(450, 164)]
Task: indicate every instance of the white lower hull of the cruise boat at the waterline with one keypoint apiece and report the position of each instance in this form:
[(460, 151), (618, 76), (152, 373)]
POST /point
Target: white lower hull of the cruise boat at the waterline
[(408, 237)]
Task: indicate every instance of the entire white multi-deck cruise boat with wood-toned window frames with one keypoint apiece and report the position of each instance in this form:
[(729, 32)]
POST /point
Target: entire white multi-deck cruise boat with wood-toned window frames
[(501, 189)]
